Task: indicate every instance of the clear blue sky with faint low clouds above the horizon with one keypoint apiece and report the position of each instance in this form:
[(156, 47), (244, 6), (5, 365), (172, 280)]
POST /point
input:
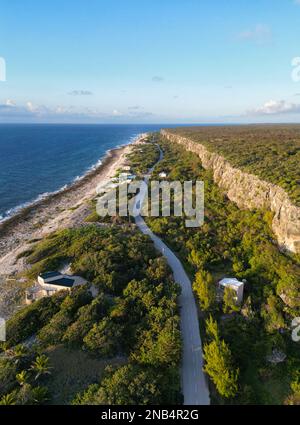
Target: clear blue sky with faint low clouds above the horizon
[(149, 61)]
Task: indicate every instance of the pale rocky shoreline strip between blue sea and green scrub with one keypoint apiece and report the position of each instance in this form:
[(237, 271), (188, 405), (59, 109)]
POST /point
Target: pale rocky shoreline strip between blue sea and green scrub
[(67, 208)]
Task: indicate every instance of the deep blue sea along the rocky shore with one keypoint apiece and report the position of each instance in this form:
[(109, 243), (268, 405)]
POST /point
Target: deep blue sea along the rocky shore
[(36, 160)]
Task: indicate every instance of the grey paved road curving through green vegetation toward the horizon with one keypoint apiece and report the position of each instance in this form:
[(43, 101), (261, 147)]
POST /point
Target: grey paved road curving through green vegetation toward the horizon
[(194, 385)]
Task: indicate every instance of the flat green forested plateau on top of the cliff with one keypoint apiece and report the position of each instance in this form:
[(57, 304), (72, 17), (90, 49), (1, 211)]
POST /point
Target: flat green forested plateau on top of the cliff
[(272, 152)]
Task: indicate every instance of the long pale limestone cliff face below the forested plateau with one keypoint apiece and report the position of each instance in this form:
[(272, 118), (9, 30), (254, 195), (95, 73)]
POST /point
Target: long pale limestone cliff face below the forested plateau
[(249, 192)]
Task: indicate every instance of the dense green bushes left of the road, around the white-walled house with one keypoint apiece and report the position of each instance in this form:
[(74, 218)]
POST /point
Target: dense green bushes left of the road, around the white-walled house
[(133, 316)]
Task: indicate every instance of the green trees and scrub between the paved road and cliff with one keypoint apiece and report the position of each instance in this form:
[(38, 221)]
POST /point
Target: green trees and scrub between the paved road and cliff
[(236, 243)]
